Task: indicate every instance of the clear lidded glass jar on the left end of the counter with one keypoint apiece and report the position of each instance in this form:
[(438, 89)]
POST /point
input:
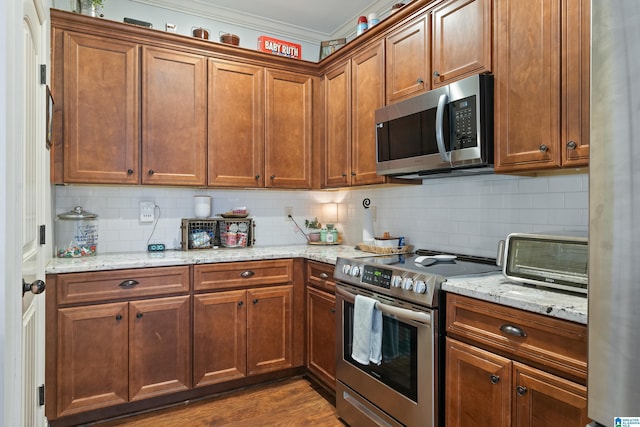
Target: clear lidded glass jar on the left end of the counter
[(76, 234)]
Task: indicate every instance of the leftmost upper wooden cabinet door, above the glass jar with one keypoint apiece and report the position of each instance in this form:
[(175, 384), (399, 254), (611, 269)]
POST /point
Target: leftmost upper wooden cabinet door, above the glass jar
[(101, 126)]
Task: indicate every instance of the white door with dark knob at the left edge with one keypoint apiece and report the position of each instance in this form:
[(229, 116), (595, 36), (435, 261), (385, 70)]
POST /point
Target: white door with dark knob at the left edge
[(31, 212)]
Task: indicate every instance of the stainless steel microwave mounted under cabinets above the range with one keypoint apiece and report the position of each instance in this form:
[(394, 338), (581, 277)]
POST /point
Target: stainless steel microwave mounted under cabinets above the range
[(445, 130)]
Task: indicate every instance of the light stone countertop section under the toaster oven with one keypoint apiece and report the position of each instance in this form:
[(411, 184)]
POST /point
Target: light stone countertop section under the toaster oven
[(494, 287)]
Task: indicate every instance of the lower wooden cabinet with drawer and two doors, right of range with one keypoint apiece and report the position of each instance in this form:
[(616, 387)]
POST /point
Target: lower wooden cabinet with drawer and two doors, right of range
[(496, 379)]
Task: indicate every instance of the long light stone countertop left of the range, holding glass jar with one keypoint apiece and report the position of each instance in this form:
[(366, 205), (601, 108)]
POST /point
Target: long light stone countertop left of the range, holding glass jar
[(117, 261)]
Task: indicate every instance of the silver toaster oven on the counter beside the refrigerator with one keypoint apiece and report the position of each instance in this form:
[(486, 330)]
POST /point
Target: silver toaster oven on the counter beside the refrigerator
[(552, 261)]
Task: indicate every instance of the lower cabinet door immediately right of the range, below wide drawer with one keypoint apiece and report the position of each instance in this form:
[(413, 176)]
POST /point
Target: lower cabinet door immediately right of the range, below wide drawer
[(477, 387)]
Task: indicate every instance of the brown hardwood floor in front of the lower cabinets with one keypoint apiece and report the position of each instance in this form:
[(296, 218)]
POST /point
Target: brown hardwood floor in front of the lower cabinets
[(292, 402)]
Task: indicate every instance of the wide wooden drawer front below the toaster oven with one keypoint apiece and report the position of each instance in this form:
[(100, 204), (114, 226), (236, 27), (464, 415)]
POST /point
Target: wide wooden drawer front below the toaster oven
[(553, 344)]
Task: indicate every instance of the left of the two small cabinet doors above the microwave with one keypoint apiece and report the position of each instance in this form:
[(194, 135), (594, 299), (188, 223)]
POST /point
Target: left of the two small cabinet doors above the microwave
[(407, 62)]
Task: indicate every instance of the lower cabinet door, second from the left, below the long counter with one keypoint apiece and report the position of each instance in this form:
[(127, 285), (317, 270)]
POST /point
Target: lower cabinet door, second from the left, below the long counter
[(159, 347)]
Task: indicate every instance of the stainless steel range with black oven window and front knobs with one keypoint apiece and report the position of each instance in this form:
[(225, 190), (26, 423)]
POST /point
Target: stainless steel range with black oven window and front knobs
[(403, 389)]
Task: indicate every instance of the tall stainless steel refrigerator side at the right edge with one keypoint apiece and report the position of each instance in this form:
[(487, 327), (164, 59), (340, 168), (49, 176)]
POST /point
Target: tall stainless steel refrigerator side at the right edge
[(614, 213)]
